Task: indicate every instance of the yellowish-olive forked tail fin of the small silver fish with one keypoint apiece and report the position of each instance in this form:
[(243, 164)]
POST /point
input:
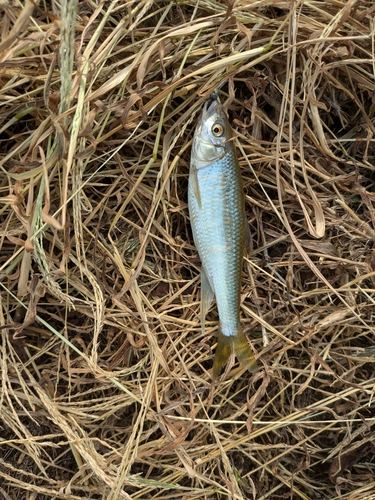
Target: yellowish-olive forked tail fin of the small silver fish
[(241, 348)]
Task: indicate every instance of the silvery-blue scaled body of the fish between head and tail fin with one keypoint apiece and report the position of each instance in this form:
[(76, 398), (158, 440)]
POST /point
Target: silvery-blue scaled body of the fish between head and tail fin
[(218, 234)]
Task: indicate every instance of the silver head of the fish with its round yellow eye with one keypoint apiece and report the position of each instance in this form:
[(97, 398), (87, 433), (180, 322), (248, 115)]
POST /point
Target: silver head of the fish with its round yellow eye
[(212, 135)]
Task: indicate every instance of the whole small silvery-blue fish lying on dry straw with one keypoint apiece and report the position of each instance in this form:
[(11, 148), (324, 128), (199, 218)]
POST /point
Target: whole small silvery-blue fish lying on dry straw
[(220, 230)]
